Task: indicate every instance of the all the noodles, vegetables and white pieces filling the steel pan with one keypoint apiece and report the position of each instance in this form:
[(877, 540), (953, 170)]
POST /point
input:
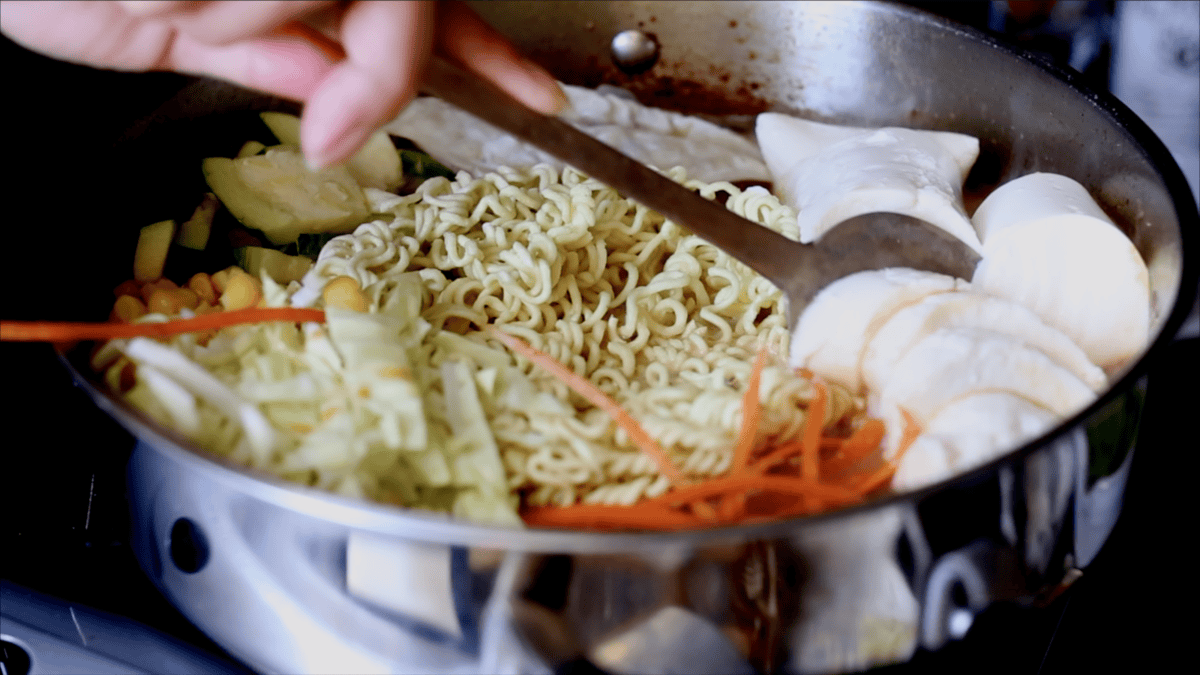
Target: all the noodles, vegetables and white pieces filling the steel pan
[(529, 347)]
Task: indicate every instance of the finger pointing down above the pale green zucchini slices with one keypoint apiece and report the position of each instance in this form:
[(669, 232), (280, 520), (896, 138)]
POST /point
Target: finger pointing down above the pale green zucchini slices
[(387, 46)]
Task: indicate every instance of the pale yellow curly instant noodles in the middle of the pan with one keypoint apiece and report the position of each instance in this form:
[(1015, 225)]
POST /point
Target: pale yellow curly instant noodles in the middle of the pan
[(658, 319)]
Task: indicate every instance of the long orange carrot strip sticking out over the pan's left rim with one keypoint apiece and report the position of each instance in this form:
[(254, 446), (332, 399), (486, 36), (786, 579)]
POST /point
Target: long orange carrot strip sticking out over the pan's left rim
[(69, 332)]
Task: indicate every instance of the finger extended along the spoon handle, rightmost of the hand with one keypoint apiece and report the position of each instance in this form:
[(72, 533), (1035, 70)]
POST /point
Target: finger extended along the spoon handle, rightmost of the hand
[(469, 40)]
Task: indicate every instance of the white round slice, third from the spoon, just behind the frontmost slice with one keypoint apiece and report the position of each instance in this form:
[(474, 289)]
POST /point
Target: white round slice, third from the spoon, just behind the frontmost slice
[(951, 363)]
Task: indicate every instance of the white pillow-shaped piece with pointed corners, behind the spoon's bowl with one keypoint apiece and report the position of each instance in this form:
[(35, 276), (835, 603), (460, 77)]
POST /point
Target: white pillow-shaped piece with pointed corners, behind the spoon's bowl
[(832, 174)]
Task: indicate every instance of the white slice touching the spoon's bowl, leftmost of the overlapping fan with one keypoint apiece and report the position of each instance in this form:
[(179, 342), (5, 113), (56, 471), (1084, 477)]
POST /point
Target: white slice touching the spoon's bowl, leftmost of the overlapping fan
[(833, 331)]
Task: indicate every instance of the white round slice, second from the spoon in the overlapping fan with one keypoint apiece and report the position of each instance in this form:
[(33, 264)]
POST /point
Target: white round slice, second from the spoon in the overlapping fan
[(965, 309)]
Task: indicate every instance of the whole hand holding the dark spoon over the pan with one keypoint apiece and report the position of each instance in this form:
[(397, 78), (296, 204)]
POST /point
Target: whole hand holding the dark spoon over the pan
[(386, 45)]
